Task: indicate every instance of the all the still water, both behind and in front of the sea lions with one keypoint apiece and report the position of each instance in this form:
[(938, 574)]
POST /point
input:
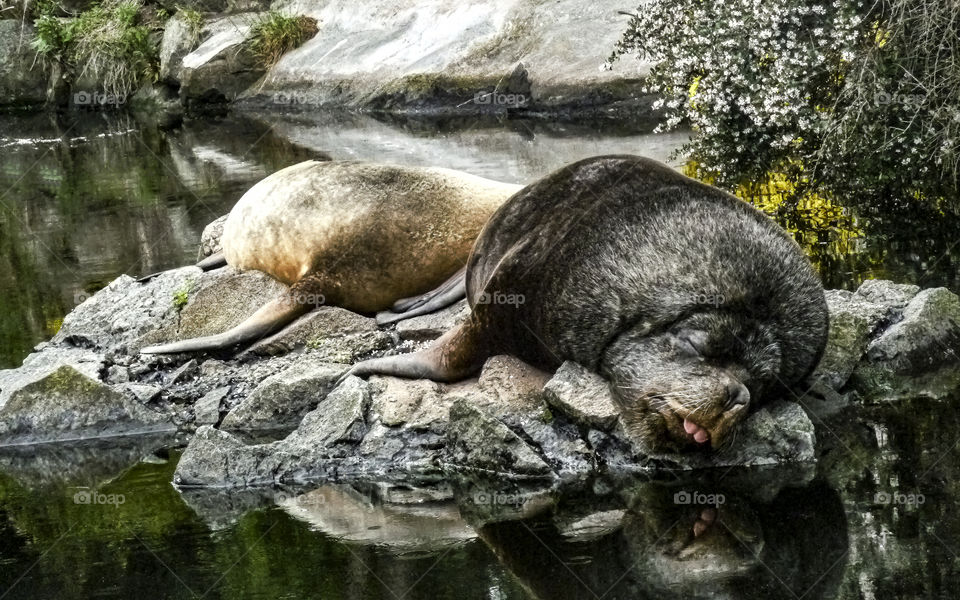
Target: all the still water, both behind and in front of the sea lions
[(83, 200)]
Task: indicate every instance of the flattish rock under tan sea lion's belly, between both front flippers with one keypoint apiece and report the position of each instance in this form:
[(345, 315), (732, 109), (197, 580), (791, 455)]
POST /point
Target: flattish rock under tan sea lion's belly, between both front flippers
[(336, 334)]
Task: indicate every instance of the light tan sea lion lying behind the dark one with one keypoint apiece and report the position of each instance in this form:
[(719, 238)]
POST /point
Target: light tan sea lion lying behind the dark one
[(362, 236)]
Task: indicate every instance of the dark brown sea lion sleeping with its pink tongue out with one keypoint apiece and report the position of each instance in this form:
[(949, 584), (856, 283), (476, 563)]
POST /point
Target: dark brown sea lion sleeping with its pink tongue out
[(691, 303)]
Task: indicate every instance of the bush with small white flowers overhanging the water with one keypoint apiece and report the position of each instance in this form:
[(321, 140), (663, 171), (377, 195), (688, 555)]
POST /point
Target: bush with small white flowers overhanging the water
[(776, 86)]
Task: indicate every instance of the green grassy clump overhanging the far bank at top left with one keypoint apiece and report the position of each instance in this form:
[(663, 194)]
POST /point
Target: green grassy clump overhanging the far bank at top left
[(106, 43)]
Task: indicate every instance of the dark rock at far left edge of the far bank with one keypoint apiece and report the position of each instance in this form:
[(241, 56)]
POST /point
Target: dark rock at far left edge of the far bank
[(23, 78)]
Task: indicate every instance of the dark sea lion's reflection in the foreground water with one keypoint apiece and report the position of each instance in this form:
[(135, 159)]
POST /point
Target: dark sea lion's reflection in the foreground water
[(658, 548)]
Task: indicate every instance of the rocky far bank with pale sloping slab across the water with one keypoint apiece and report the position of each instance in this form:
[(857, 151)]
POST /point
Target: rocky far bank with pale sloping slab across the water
[(528, 58)]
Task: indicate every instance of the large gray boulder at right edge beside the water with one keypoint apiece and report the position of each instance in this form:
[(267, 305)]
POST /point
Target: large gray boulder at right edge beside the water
[(919, 355)]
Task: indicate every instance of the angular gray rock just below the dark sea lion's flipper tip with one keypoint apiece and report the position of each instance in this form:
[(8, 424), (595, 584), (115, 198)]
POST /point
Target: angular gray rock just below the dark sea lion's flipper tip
[(339, 418)]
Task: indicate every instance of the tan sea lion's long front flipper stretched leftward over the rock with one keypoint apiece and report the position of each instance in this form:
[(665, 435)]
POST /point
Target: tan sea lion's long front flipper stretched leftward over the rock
[(268, 319)]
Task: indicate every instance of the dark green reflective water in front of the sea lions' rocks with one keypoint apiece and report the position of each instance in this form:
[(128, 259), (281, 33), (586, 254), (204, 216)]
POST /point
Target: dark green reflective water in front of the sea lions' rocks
[(876, 518)]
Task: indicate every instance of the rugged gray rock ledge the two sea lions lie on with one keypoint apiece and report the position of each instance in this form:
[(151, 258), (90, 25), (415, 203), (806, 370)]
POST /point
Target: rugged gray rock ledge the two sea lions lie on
[(273, 413)]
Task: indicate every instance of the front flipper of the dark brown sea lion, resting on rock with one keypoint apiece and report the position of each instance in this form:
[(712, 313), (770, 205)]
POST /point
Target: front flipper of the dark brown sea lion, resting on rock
[(455, 355)]
